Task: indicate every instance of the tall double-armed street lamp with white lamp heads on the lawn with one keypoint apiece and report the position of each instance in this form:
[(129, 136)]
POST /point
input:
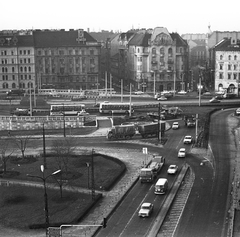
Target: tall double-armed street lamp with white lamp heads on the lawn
[(43, 178)]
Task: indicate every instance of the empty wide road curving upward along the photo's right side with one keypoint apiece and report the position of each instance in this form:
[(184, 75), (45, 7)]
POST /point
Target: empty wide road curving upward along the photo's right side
[(206, 212)]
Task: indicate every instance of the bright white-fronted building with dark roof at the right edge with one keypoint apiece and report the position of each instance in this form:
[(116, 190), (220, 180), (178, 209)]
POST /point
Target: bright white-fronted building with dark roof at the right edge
[(227, 65)]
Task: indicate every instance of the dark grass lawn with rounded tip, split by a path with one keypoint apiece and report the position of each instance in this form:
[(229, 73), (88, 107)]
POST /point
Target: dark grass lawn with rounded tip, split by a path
[(22, 206)]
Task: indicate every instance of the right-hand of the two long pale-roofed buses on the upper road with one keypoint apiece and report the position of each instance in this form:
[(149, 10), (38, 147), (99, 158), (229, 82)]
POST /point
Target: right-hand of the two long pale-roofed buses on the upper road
[(115, 108)]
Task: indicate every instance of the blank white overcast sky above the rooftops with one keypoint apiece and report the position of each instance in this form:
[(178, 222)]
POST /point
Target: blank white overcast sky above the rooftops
[(182, 16)]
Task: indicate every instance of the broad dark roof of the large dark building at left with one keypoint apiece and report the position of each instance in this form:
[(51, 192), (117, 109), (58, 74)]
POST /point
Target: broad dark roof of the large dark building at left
[(59, 38)]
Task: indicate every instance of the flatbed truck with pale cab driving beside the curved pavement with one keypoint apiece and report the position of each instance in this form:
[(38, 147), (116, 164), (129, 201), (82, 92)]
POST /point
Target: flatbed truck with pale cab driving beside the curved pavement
[(149, 173)]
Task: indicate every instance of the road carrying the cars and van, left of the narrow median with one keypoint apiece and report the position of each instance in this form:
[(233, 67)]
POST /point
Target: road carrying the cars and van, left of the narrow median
[(125, 221)]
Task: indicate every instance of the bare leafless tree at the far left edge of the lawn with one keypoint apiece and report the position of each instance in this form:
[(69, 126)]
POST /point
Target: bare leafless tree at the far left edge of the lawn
[(5, 151)]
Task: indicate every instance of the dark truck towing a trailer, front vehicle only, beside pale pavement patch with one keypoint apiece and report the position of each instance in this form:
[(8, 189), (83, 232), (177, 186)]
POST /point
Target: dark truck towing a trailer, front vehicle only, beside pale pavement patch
[(121, 132)]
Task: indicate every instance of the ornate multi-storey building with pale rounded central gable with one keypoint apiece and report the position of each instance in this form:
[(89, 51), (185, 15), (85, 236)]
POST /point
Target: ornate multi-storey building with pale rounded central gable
[(158, 60)]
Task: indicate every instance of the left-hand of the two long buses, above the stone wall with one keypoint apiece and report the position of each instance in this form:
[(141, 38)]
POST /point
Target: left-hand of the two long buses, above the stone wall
[(68, 110)]
